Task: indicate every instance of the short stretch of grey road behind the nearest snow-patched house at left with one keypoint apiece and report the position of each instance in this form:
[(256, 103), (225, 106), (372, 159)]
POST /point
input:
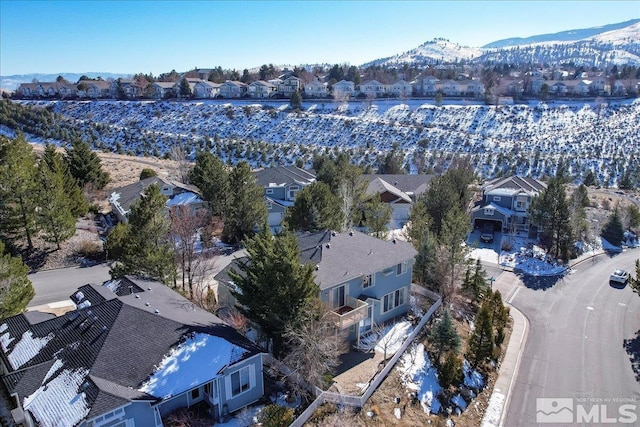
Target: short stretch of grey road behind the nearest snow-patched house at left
[(58, 285)]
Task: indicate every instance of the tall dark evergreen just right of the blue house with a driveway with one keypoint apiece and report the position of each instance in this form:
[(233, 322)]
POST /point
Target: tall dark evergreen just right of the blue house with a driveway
[(550, 211)]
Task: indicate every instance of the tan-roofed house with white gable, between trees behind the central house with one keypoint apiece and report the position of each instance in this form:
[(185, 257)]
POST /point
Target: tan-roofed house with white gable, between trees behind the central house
[(400, 191)]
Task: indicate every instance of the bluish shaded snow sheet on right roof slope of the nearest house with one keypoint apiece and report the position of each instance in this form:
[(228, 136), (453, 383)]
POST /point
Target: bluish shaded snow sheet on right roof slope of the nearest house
[(190, 364)]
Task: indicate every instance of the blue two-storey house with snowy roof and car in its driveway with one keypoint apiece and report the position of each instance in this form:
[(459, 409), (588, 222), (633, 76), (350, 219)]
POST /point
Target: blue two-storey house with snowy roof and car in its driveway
[(505, 204)]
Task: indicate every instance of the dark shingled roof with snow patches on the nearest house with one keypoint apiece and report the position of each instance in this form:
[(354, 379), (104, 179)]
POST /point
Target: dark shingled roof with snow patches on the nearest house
[(99, 357)]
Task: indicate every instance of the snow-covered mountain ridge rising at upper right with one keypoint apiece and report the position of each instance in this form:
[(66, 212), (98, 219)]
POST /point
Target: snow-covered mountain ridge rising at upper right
[(598, 46)]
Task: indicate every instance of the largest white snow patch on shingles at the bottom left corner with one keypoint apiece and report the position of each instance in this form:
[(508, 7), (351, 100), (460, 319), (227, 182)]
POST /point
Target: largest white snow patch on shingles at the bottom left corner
[(57, 402)]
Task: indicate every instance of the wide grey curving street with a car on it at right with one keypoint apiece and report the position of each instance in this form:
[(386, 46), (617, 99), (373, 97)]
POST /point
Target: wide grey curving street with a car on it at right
[(579, 327)]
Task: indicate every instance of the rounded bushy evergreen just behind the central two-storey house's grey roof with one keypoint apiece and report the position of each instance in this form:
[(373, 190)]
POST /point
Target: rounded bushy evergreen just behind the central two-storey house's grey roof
[(315, 209)]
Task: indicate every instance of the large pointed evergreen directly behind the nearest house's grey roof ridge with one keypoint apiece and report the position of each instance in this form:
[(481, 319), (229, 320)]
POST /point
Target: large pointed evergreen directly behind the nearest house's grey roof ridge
[(142, 244)]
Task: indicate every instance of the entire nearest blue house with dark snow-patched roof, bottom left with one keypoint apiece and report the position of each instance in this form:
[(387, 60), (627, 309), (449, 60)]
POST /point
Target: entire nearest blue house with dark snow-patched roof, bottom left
[(131, 353)]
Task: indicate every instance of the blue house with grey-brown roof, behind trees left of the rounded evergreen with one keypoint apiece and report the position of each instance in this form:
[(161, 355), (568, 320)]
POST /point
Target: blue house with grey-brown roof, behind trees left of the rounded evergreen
[(281, 184)]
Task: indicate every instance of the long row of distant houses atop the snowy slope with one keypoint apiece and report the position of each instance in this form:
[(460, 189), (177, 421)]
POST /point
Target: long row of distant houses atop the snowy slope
[(454, 82)]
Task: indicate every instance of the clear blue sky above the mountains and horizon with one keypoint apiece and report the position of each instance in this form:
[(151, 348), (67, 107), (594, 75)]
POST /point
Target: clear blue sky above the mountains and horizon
[(158, 36)]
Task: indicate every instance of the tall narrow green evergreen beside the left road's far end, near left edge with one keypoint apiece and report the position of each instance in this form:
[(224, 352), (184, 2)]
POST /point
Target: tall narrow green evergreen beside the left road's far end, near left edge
[(54, 209)]
